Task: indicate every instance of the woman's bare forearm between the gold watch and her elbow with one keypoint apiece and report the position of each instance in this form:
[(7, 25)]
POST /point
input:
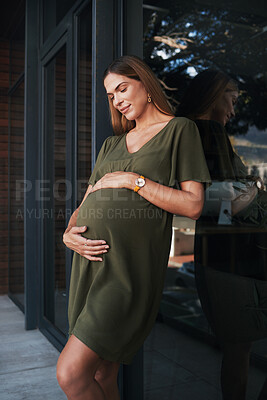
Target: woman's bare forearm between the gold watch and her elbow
[(187, 202)]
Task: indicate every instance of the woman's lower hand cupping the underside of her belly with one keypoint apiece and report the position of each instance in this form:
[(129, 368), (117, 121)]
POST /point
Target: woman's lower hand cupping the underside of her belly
[(88, 248)]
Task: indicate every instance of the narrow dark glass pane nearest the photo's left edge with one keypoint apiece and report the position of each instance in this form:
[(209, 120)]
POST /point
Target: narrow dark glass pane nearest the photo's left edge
[(16, 194)]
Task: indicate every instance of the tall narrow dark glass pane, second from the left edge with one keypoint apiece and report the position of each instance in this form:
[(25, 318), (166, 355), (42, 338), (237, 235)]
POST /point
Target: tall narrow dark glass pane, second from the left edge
[(54, 189)]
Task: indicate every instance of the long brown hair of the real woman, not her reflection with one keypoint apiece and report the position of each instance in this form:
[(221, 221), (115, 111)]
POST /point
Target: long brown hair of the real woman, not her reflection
[(134, 68)]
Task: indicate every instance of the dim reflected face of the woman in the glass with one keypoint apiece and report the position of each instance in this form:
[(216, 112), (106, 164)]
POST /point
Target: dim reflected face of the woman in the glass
[(223, 108)]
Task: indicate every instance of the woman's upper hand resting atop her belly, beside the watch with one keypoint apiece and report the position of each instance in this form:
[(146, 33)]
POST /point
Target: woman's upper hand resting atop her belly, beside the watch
[(118, 179)]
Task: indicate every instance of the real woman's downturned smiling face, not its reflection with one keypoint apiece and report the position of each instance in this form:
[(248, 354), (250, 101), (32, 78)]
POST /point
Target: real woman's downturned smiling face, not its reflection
[(127, 95)]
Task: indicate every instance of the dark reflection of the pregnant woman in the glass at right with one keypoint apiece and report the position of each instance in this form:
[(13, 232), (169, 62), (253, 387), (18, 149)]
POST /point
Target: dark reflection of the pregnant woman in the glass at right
[(228, 300)]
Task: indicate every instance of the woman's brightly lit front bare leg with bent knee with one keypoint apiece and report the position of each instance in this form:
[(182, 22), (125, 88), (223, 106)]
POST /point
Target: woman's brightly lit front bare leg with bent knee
[(76, 369)]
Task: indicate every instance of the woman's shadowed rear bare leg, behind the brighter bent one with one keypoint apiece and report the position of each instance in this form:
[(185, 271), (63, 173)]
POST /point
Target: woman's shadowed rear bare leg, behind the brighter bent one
[(106, 375)]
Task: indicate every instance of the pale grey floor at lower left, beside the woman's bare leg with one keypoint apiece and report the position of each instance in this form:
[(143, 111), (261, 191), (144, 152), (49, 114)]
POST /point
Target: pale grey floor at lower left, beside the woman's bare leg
[(27, 359)]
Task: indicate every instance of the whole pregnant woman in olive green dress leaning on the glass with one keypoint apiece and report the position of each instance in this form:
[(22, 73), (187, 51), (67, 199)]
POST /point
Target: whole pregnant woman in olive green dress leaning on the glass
[(121, 232)]
